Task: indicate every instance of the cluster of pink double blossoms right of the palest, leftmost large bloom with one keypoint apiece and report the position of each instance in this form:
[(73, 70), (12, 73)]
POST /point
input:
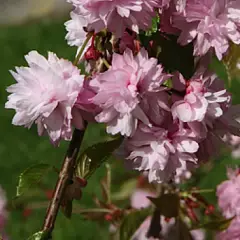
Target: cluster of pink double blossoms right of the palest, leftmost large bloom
[(168, 130)]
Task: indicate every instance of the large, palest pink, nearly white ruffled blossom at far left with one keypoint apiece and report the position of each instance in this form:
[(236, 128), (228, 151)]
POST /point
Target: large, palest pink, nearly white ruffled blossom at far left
[(45, 93)]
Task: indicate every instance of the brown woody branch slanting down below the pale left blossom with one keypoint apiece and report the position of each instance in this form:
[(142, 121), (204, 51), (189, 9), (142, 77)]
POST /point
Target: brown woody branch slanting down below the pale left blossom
[(64, 179)]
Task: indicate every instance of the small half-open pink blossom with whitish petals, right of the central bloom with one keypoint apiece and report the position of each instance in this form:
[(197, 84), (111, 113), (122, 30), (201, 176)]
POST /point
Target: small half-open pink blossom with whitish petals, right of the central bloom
[(204, 95)]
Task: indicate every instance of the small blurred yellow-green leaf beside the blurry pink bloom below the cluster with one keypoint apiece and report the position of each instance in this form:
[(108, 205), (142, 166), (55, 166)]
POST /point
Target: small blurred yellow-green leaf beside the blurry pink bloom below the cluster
[(125, 190)]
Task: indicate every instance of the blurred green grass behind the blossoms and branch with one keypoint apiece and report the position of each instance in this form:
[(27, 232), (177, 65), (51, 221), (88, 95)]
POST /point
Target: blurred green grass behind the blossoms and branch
[(20, 148)]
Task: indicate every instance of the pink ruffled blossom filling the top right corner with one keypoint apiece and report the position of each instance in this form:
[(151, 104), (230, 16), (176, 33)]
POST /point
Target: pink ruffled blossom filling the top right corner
[(211, 24)]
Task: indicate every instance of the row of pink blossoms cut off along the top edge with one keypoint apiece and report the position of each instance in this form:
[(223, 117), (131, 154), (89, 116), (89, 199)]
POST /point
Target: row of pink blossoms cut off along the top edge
[(210, 24)]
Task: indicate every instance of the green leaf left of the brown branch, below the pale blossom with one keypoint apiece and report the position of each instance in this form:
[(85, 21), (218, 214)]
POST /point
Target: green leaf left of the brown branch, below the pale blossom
[(31, 177)]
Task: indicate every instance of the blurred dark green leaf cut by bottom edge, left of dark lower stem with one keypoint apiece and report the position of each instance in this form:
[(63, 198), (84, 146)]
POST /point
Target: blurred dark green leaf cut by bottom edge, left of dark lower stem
[(132, 222)]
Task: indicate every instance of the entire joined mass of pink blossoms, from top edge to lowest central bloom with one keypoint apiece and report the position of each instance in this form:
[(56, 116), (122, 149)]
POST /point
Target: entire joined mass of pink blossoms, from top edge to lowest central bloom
[(170, 124)]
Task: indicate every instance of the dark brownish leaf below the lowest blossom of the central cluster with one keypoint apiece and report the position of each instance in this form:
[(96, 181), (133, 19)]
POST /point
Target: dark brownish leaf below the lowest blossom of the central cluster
[(168, 204)]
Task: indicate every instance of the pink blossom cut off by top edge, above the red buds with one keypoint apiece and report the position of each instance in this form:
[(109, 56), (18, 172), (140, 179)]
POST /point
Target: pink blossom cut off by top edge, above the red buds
[(116, 16)]
